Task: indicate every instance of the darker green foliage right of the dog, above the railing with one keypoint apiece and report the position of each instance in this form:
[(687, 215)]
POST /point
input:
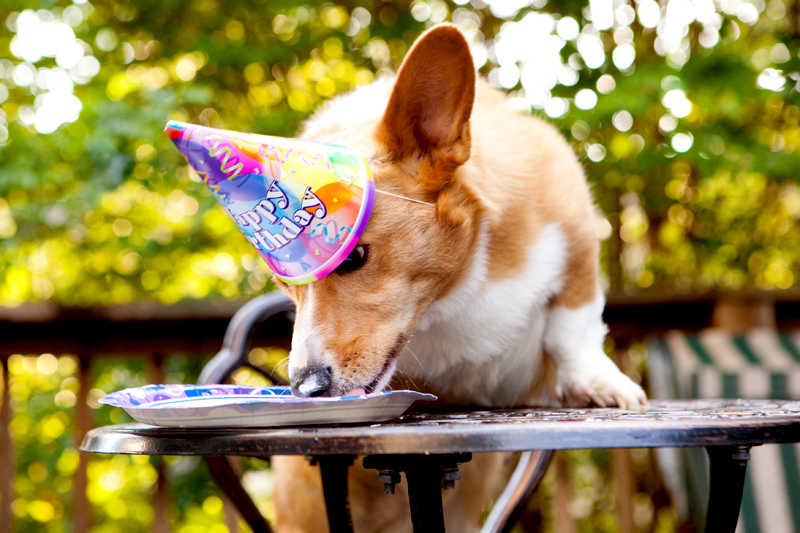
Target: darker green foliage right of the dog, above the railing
[(723, 213)]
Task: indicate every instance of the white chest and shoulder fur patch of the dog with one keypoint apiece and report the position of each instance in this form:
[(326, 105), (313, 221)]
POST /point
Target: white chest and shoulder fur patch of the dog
[(483, 342)]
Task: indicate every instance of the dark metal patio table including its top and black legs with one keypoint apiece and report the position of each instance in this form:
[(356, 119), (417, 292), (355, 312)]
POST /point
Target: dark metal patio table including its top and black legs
[(428, 446)]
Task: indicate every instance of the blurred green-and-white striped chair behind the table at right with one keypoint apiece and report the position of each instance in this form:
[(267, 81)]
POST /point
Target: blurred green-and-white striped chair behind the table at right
[(714, 363)]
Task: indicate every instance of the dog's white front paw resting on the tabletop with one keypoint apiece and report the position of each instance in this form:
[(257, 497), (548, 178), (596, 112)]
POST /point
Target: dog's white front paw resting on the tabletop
[(599, 382)]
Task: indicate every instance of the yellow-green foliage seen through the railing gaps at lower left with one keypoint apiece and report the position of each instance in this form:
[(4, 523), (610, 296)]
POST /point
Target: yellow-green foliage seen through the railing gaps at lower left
[(43, 393)]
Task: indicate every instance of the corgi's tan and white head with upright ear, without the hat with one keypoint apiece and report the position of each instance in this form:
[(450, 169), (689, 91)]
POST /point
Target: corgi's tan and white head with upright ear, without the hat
[(353, 324)]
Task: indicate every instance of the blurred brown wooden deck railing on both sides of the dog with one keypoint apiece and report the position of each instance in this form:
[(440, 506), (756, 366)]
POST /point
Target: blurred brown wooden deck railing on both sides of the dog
[(151, 331)]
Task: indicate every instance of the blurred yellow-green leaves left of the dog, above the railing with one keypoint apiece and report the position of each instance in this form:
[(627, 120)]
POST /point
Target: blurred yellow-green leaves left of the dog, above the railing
[(104, 210)]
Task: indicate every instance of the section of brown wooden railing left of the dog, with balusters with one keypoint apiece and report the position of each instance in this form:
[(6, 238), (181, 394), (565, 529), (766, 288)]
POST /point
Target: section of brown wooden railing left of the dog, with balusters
[(141, 330)]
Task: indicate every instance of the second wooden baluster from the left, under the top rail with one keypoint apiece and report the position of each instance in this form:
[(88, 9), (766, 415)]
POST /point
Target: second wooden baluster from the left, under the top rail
[(83, 423)]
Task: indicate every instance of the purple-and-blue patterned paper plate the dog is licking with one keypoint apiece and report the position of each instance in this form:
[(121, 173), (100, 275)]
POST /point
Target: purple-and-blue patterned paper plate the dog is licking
[(238, 406)]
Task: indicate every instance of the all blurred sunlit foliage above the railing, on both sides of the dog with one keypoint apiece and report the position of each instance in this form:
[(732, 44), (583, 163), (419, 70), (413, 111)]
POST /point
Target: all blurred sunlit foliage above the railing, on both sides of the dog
[(103, 209)]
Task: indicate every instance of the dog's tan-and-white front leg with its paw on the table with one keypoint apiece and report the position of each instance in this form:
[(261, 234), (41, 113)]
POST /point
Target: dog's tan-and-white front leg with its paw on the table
[(574, 339)]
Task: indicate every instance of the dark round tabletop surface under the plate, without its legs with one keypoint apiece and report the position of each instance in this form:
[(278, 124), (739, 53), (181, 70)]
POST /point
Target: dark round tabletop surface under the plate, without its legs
[(661, 424)]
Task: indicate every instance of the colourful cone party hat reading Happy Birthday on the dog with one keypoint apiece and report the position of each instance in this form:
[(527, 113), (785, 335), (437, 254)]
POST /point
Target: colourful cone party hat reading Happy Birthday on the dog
[(302, 204)]
